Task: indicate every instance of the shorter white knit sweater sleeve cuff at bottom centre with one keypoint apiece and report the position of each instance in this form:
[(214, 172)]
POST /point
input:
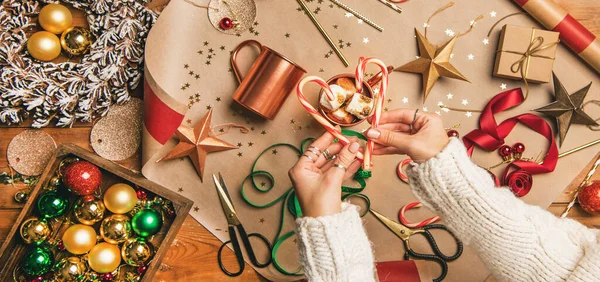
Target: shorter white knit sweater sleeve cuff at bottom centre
[(336, 247)]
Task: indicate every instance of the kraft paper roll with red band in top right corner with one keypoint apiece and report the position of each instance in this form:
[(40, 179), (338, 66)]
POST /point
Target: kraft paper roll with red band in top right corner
[(572, 32)]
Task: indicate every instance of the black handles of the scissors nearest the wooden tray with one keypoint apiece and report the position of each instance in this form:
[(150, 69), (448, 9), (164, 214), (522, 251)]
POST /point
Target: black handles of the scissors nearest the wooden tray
[(238, 251)]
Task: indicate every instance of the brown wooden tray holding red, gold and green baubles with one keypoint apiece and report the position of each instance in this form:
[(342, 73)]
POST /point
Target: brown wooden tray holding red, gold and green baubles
[(14, 247)]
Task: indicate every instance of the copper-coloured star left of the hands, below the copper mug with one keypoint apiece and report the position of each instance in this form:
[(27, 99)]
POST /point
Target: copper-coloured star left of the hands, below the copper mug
[(197, 143)]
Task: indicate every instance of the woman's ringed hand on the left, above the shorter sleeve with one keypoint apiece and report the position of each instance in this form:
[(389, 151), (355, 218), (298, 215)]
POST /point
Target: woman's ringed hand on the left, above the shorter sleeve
[(318, 181)]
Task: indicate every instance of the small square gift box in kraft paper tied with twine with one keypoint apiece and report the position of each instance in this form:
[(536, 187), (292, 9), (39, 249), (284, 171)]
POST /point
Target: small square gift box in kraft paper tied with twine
[(514, 44)]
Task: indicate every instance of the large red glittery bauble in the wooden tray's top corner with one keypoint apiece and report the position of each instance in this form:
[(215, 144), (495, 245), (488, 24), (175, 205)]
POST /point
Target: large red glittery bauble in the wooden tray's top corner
[(82, 178)]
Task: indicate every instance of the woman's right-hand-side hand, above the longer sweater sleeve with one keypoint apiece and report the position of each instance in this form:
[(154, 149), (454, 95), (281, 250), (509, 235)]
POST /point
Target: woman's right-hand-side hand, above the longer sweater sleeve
[(421, 136)]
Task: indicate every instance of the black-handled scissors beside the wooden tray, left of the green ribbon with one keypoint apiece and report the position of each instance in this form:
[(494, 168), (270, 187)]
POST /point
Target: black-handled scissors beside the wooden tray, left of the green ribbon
[(233, 222)]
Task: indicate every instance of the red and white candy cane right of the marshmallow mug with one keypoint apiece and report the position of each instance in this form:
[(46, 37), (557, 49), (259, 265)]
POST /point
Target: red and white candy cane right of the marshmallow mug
[(380, 98)]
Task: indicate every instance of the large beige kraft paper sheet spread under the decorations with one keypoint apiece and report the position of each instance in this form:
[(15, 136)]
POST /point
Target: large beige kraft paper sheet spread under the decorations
[(183, 30)]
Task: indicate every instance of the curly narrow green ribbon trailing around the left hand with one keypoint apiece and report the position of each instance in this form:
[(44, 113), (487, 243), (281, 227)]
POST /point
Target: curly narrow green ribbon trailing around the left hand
[(290, 202)]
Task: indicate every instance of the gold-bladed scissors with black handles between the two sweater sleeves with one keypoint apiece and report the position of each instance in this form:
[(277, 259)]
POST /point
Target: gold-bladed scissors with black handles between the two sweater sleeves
[(406, 233)]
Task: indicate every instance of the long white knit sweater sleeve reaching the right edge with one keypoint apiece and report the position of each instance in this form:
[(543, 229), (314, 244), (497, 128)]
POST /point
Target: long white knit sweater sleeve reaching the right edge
[(517, 242)]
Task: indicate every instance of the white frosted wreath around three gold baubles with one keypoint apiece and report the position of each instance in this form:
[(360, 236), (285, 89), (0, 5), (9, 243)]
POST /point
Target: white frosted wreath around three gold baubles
[(66, 92)]
